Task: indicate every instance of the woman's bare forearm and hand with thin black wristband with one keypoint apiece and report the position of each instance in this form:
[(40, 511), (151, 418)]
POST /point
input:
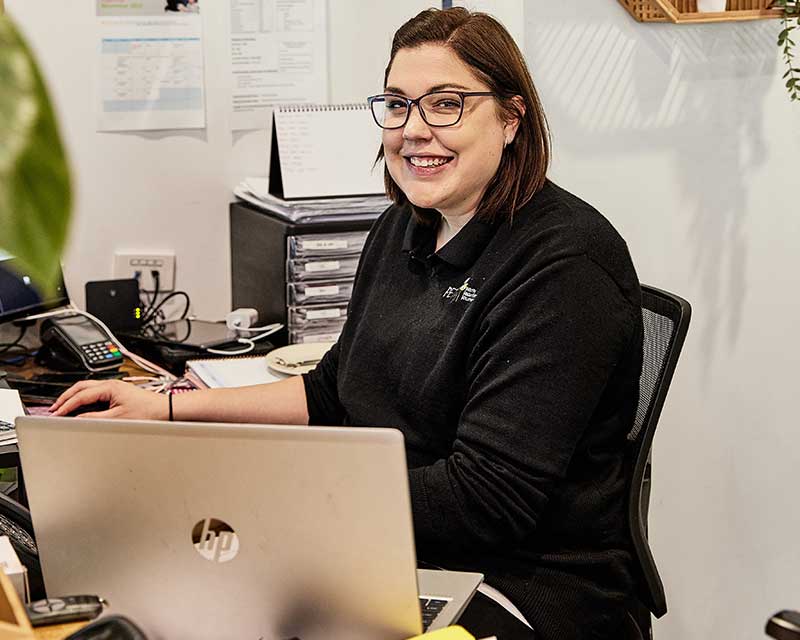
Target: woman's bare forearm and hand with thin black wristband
[(281, 402)]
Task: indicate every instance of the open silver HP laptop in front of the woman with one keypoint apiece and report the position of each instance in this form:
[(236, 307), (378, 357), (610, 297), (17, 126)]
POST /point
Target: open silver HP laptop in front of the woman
[(212, 531)]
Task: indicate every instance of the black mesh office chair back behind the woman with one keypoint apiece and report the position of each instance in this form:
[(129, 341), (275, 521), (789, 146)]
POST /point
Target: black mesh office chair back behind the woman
[(666, 320)]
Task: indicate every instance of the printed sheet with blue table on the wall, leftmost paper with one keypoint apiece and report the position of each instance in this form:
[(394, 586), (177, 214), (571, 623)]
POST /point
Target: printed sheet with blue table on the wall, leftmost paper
[(150, 67)]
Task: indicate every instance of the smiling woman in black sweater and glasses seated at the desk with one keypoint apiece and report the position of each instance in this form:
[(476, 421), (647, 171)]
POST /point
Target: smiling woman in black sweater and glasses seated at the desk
[(496, 321)]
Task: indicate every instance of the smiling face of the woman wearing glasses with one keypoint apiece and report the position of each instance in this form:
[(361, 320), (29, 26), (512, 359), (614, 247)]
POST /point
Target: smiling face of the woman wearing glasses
[(469, 151)]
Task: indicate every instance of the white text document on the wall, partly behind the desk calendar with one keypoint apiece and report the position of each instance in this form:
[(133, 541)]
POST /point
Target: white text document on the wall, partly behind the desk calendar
[(278, 56)]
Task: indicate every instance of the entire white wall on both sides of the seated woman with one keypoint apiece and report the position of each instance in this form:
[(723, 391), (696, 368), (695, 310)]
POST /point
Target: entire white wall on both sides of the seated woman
[(682, 136)]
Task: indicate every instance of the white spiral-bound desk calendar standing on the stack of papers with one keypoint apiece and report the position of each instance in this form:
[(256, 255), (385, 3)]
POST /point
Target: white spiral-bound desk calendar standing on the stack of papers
[(324, 150)]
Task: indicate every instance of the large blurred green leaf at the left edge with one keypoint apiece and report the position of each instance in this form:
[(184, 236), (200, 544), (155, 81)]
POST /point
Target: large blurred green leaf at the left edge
[(35, 191)]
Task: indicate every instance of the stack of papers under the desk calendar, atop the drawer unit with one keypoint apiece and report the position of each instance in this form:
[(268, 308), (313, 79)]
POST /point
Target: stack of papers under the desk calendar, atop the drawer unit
[(255, 191)]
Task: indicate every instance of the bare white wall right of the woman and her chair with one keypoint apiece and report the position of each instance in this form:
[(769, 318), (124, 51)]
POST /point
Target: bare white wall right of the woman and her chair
[(686, 139)]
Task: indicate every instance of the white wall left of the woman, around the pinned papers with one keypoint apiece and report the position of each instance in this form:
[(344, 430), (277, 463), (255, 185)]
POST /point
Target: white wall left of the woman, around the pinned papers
[(169, 190)]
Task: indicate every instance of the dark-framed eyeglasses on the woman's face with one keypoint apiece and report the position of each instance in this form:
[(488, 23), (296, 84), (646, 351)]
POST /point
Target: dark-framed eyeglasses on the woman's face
[(438, 109)]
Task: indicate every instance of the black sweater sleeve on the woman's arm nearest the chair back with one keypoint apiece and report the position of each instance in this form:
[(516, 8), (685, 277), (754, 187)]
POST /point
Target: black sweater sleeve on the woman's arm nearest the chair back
[(543, 356)]
